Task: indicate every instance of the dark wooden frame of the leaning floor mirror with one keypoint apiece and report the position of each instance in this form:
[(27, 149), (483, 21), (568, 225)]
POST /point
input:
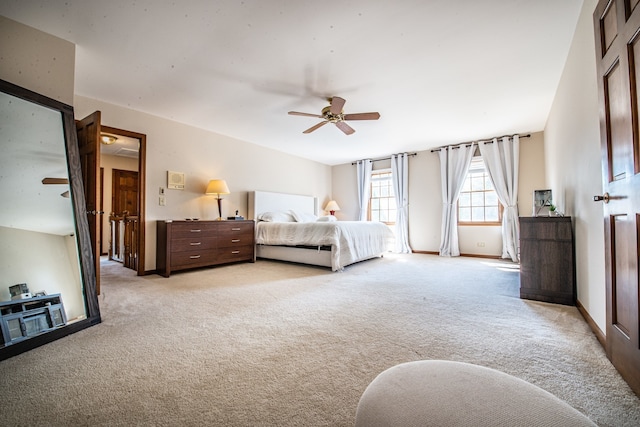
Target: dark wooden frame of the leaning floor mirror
[(83, 239)]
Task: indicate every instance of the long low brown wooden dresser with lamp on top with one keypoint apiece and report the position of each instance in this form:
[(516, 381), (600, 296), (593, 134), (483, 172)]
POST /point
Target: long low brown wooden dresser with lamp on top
[(191, 244)]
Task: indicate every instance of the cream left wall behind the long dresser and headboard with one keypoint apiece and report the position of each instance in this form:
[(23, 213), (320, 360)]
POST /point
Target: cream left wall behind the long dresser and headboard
[(204, 155)]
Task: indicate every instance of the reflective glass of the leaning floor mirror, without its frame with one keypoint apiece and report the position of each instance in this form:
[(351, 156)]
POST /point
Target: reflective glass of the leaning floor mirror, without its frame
[(40, 278)]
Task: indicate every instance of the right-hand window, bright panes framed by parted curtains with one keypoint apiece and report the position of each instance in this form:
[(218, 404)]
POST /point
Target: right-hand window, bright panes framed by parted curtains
[(478, 203)]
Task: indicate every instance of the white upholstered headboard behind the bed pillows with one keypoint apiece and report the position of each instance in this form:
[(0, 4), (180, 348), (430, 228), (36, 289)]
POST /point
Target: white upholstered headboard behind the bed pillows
[(264, 201)]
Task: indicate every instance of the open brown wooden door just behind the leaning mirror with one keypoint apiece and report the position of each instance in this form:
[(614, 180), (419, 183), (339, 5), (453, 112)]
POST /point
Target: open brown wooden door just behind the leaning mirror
[(89, 145)]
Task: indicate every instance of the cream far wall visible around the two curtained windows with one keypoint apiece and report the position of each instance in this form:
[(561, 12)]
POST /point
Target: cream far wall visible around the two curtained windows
[(425, 200)]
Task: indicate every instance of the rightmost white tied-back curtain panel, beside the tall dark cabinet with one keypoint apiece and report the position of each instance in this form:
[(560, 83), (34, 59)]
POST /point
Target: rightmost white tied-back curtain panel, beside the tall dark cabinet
[(501, 158)]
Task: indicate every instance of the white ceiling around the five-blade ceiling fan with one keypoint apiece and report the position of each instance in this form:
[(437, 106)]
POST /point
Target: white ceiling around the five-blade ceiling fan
[(438, 71)]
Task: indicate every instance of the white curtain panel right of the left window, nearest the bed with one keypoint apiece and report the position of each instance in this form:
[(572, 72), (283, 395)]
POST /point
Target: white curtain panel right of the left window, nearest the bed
[(400, 179)]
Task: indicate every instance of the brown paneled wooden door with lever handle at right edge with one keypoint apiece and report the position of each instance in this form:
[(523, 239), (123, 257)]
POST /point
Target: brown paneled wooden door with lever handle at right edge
[(616, 24)]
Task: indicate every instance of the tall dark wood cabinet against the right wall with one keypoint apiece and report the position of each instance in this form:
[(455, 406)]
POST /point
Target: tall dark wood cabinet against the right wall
[(547, 261)]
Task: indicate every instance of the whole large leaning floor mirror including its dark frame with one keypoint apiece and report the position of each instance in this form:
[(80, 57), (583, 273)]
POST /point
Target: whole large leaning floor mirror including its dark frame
[(47, 275)]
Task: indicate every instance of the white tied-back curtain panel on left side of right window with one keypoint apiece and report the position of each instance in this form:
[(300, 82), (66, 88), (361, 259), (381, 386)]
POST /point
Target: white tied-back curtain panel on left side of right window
[(454, 165)]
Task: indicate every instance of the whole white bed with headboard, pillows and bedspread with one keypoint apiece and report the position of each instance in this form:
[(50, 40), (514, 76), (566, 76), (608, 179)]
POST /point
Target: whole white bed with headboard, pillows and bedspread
[(288, 228)]
